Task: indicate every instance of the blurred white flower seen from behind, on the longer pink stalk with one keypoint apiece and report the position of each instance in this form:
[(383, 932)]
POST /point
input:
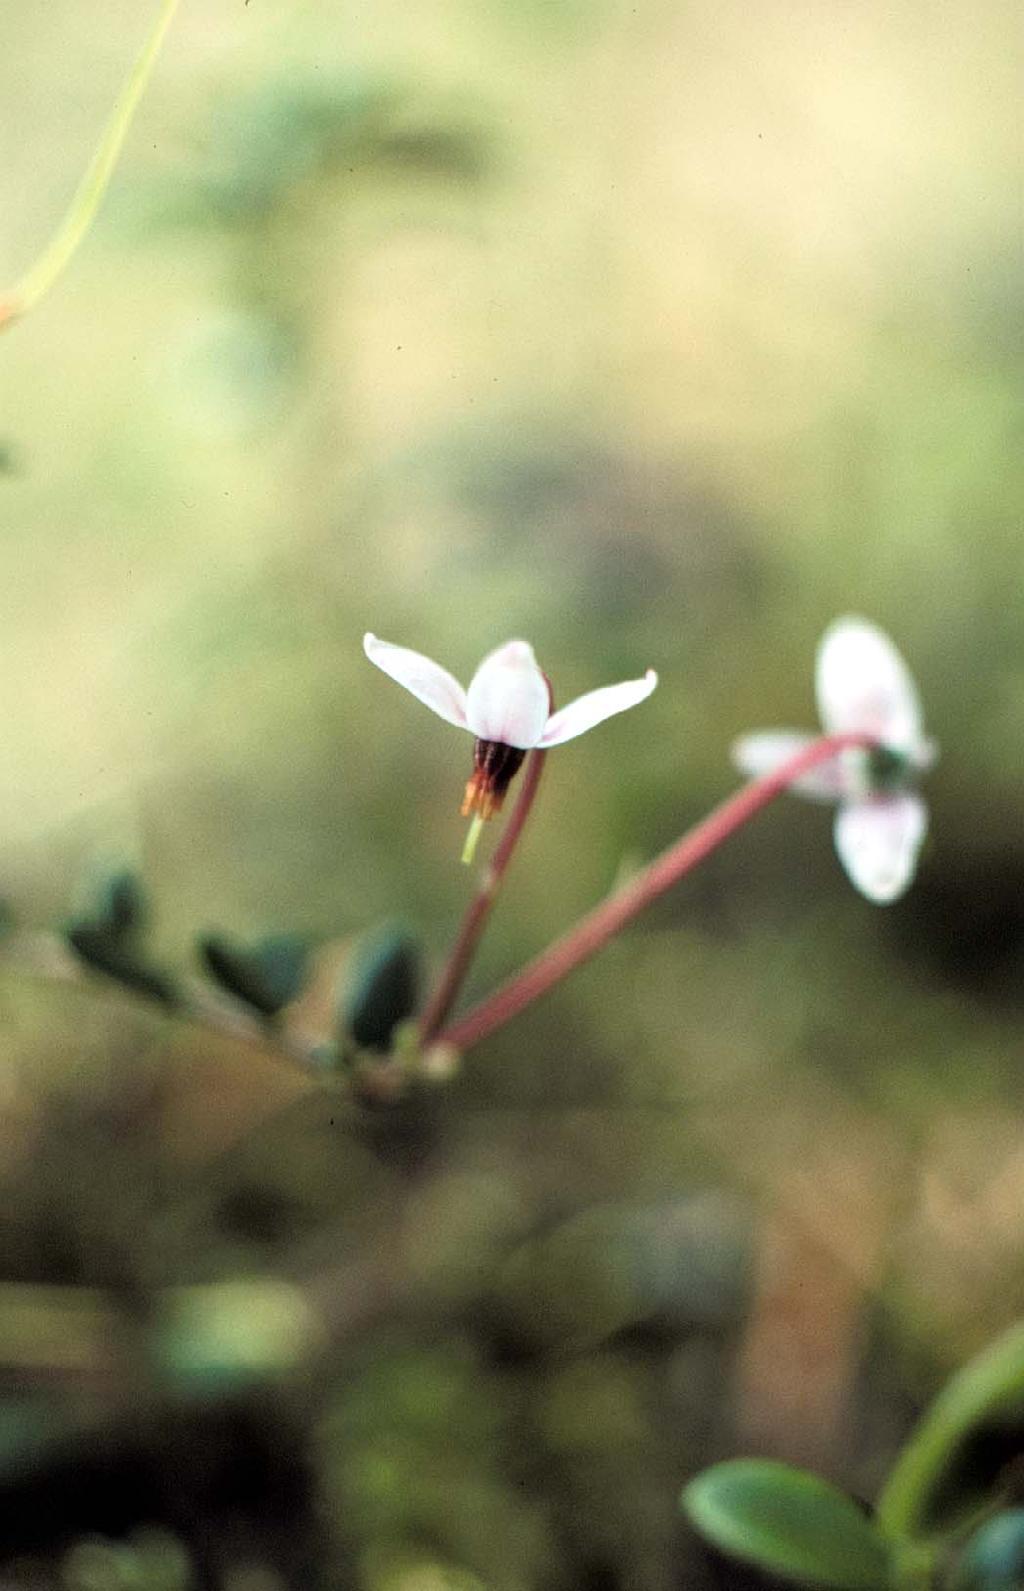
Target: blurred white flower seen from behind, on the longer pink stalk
[(864, 688)]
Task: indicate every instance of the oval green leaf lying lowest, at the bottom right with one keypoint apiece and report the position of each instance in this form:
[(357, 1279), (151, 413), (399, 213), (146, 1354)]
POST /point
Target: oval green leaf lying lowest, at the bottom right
[(789, 1523)]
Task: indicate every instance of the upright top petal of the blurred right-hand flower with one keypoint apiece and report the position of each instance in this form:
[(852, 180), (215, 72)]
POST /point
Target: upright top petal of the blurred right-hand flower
[(864, 687)]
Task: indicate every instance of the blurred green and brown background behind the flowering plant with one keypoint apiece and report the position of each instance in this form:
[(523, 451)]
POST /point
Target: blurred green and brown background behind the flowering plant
[(659, 335)]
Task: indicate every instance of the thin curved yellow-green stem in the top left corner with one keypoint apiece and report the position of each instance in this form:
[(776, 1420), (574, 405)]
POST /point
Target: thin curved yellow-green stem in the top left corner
[(87, 201)]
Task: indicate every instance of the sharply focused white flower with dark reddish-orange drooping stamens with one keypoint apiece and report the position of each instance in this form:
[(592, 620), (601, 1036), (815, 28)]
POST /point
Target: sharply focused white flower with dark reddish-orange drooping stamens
[(506, 707)]
